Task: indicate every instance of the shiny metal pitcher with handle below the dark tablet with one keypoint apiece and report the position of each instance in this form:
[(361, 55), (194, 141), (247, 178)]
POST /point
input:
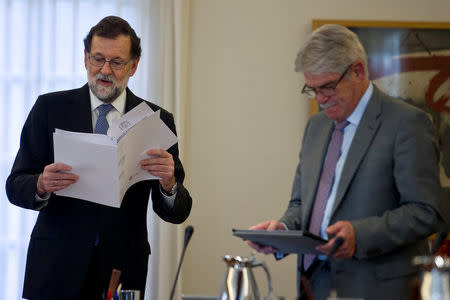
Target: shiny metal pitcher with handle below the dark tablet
[(239, 282)]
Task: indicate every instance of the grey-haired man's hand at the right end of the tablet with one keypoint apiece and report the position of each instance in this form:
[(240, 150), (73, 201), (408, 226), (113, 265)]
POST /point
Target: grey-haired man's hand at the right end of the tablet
[(345, 230)]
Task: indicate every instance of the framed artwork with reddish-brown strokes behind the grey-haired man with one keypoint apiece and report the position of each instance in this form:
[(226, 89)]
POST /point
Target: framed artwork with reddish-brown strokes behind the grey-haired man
[(410, 61)]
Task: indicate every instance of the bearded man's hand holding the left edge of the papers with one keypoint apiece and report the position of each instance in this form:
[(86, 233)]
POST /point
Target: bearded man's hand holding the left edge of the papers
[(54, 178)]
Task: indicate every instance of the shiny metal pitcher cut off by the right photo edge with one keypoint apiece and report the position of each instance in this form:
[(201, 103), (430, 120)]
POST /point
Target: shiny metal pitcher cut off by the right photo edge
[(434, 278)]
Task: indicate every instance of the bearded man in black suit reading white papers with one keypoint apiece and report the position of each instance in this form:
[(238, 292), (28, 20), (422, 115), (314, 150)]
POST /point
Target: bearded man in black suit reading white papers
[(75, 244)]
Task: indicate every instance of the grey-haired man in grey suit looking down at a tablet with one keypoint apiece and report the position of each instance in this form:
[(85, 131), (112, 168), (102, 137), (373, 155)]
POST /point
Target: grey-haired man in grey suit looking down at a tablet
[(382, 195)]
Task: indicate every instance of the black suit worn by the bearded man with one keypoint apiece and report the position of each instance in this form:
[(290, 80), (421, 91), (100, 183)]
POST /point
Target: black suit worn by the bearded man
[(66, 228)]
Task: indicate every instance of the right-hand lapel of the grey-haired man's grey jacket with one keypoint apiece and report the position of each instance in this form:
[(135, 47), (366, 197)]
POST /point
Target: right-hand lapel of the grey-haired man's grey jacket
[(364, 134)]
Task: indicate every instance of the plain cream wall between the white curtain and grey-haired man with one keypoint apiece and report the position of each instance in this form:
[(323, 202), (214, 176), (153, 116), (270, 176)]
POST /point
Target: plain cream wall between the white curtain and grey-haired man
[(247, 119)]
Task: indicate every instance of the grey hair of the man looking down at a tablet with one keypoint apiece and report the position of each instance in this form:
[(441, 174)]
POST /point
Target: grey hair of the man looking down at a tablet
[(330, 49)]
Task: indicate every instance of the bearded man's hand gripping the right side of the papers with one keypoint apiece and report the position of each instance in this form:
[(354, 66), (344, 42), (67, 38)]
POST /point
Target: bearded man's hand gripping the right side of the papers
[(161, 164)]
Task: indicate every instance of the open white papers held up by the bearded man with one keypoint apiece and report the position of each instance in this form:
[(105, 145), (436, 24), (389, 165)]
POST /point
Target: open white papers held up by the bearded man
[(107, 168)]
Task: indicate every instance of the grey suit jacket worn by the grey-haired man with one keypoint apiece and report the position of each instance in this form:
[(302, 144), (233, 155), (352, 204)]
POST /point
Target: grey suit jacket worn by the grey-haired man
[(389, 190)]
